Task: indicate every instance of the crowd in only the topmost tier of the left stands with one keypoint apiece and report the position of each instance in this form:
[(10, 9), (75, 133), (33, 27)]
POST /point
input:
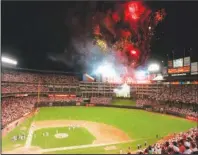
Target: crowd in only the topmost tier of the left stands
[(26, 77)]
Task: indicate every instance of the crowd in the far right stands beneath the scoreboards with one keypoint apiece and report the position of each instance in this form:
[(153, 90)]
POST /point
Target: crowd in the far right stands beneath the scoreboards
[(177, 93)]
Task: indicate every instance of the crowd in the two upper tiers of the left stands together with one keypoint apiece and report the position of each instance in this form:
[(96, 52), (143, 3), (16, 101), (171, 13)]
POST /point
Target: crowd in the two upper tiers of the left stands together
[(20, 82)]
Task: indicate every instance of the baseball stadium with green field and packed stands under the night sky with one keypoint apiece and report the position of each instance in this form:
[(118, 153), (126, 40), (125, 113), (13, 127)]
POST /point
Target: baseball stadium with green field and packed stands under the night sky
[(45, 112)]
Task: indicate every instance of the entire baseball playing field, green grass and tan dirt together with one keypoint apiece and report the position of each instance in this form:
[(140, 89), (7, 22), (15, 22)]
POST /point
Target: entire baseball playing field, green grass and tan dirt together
[(91, 129)]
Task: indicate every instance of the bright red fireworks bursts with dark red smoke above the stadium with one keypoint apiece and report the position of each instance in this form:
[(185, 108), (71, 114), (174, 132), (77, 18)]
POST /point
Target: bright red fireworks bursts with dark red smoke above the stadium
[(128, 30)]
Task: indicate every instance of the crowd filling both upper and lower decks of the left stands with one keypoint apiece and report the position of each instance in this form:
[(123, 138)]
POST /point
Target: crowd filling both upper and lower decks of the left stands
[(32, 82)]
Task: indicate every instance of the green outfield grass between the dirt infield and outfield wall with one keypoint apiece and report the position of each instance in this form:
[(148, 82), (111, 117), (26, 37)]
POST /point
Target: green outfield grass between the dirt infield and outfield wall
[(133, 122)]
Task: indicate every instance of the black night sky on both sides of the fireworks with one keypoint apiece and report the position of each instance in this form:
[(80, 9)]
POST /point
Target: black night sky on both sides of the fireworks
[(33, 32)]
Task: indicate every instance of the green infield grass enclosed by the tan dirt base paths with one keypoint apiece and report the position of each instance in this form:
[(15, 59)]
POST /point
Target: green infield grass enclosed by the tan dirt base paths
[(77, 136)]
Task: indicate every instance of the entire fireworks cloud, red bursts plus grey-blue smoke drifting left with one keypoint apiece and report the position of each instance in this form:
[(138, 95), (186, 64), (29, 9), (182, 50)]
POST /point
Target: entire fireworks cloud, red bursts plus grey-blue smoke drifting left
[(119, 33)]
